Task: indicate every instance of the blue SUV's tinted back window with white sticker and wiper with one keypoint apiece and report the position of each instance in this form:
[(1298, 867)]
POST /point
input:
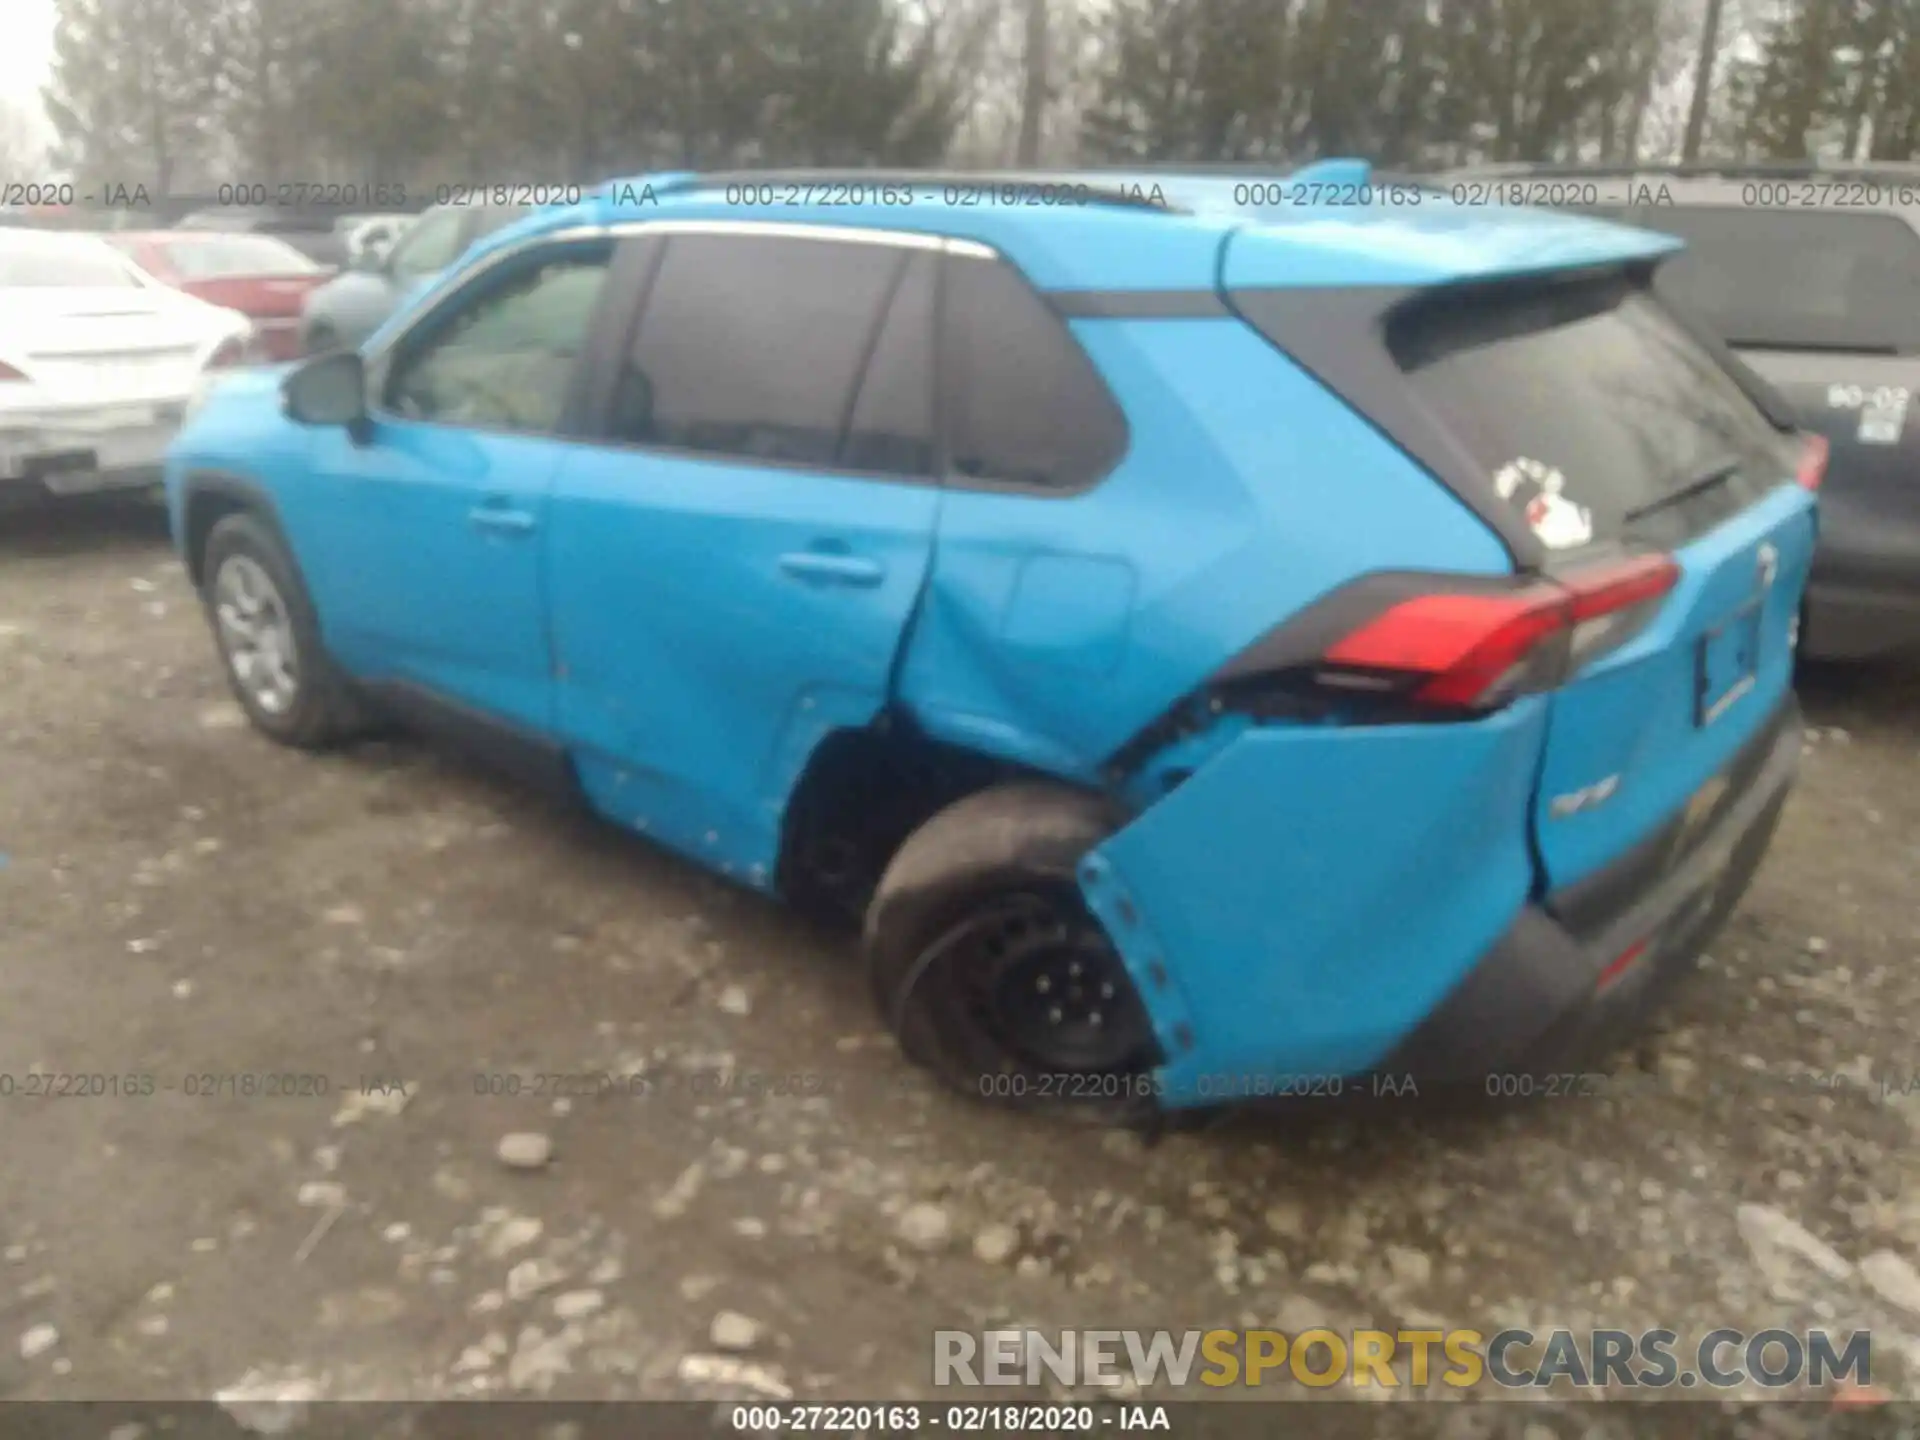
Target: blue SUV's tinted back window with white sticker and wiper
[(1593, 410)]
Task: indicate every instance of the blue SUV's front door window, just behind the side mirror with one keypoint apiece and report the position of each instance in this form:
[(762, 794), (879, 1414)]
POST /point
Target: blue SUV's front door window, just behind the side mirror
[(504, 360)]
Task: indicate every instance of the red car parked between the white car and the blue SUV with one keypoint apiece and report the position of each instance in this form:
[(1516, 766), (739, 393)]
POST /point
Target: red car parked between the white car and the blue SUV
[(260, 277)]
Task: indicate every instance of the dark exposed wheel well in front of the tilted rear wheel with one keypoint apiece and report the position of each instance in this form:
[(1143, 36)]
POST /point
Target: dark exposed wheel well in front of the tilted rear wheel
[(865, 792)]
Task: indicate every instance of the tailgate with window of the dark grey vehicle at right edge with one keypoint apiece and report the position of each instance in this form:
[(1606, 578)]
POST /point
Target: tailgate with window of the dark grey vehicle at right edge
[(1840, 343)]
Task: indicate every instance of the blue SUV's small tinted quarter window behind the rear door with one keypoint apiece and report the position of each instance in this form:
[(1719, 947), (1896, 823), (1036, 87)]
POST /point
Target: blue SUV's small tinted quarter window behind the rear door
[(1024, 404)]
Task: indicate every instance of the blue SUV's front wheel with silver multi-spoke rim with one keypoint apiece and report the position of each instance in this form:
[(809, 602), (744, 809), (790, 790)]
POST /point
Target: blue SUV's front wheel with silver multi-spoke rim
[(270, 638)]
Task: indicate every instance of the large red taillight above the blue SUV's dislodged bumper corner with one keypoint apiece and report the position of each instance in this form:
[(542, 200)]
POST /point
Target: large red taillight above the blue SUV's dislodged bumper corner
[(1468, 650)]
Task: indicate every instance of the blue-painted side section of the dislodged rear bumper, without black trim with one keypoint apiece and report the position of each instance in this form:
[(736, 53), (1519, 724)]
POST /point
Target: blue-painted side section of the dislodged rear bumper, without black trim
[(1314, 892)]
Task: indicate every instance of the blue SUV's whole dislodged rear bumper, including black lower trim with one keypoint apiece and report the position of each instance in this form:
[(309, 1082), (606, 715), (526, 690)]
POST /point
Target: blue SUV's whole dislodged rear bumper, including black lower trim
[(1320, 905)]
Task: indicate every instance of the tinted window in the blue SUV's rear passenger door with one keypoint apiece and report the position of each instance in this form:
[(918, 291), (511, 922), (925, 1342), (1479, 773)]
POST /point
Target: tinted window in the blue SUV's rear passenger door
[(754, 348)]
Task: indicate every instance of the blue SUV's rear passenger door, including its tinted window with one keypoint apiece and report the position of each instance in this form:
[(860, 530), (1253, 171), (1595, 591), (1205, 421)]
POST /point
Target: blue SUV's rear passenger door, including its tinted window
[(736, 560)]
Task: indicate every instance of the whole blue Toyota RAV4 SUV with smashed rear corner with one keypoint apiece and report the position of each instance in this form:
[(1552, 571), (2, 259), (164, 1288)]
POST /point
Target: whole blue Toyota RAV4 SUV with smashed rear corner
[(1220, 640)]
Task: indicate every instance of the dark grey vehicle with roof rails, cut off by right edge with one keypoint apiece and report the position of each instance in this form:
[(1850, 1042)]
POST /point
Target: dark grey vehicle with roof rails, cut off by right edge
[(1813, 277)]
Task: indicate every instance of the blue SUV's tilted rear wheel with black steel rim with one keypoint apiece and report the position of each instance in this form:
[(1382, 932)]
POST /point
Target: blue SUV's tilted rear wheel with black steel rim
[(990, 969)]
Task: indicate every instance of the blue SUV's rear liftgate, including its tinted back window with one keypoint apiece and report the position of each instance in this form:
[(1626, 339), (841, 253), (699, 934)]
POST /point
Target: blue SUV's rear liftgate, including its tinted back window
[(1612, 431)]
